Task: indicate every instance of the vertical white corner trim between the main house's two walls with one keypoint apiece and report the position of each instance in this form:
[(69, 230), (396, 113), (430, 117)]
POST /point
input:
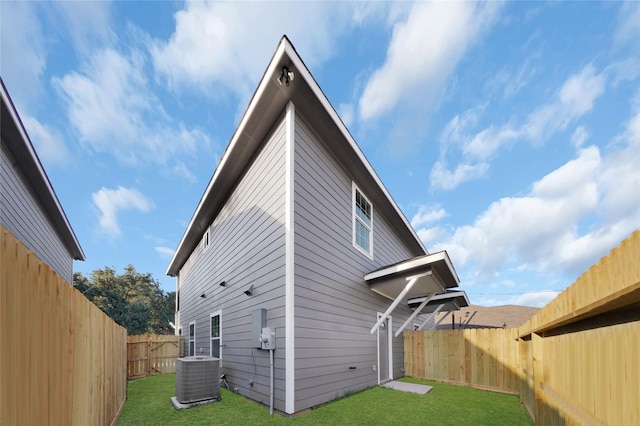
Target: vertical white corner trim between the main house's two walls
[(289, 262)]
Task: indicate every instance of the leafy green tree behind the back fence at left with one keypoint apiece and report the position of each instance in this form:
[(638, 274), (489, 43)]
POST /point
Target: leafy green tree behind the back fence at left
[(132, 299)]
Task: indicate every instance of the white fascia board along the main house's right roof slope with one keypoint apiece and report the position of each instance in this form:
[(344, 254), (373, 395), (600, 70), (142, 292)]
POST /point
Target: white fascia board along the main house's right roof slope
[(302, 69)]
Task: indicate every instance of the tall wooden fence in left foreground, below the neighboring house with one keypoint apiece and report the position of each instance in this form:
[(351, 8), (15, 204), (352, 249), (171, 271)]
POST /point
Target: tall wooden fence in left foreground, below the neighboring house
[(62, 360)]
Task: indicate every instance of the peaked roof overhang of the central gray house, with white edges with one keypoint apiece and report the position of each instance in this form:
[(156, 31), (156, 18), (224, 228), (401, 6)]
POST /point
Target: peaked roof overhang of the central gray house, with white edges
[(265, 108)]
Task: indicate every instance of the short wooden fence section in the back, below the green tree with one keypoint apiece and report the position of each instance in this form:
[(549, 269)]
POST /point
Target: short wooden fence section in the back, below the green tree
[(149, 354)]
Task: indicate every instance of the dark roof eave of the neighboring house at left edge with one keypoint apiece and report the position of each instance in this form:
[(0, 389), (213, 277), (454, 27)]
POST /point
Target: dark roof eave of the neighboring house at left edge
[(16, 139)]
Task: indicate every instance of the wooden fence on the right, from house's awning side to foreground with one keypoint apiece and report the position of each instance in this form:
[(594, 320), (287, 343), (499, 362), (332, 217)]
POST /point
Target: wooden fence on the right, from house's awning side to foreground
[(576, 361)]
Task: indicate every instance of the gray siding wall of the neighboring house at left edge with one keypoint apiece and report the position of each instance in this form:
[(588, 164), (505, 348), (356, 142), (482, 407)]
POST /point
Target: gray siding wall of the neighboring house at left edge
[(21, 213)]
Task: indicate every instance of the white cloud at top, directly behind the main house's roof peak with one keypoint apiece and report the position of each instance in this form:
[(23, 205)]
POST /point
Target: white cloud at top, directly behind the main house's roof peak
[(229, 43)]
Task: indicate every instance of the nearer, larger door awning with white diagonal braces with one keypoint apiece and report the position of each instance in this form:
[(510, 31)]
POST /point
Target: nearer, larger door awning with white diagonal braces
[(423, 276)]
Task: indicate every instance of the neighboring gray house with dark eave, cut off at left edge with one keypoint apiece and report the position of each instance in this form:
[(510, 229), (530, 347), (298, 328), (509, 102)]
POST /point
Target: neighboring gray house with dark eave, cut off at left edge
[(29, 207)]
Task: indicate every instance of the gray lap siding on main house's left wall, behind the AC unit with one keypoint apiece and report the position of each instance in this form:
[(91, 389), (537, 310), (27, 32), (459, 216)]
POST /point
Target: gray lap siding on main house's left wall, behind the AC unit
[(247, 246)]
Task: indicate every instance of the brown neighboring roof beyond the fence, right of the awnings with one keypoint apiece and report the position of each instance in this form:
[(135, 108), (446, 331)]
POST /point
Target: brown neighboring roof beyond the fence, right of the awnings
[(474, 316)]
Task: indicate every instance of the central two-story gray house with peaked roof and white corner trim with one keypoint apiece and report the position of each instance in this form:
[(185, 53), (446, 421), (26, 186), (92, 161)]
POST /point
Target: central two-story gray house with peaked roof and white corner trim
[(296, 231)]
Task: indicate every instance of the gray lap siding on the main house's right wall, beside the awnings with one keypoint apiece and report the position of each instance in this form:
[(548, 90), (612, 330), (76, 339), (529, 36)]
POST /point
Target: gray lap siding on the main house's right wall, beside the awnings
[(335, 309)]
